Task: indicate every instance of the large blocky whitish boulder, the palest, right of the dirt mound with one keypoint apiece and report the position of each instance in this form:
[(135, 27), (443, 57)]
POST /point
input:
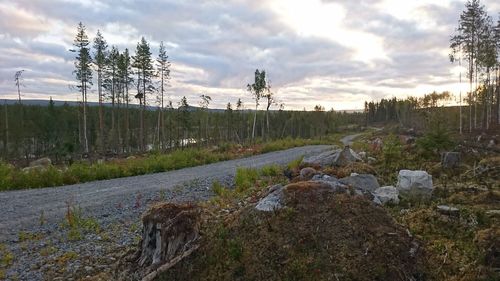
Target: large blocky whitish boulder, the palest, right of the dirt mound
[(414, 183)]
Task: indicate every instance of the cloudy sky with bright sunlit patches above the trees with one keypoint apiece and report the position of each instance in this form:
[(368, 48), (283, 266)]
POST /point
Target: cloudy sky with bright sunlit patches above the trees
[(330, 52)]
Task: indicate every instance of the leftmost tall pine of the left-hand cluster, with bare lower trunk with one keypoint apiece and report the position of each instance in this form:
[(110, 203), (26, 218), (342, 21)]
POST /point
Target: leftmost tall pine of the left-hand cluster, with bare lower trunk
[(83, 74)]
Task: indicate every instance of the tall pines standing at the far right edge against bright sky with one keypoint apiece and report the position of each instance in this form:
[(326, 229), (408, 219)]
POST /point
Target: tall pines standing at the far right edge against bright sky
[(476, 42)]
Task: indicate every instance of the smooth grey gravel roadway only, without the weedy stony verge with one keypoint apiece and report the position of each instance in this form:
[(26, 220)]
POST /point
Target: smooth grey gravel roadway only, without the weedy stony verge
[(23, 210)]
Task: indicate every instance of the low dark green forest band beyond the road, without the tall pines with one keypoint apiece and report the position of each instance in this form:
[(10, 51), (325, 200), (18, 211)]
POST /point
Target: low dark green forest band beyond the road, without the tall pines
[(29, 132)]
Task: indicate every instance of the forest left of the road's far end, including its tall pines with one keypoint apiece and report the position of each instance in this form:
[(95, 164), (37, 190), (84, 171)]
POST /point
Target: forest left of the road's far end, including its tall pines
[(116, 126)]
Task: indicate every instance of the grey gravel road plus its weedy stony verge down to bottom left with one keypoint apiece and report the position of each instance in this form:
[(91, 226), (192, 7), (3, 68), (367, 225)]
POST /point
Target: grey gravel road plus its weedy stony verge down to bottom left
[(31, 221)]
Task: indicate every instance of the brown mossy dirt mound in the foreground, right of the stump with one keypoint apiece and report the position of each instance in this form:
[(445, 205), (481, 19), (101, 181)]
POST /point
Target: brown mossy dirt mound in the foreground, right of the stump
[(319, 235)]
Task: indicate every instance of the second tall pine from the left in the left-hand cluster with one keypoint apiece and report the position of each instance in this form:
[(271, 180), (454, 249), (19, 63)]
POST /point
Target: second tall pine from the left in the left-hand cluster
[(100, 54)]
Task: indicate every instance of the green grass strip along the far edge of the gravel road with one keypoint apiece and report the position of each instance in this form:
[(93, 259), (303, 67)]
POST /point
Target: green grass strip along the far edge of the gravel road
[(12, 178)]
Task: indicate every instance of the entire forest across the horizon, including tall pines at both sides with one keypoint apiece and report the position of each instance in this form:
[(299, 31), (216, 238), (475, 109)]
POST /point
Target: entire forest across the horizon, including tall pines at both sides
[(116, 127)]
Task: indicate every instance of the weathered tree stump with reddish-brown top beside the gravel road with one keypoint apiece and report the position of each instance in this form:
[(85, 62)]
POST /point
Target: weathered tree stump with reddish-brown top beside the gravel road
[(169, 230)]
